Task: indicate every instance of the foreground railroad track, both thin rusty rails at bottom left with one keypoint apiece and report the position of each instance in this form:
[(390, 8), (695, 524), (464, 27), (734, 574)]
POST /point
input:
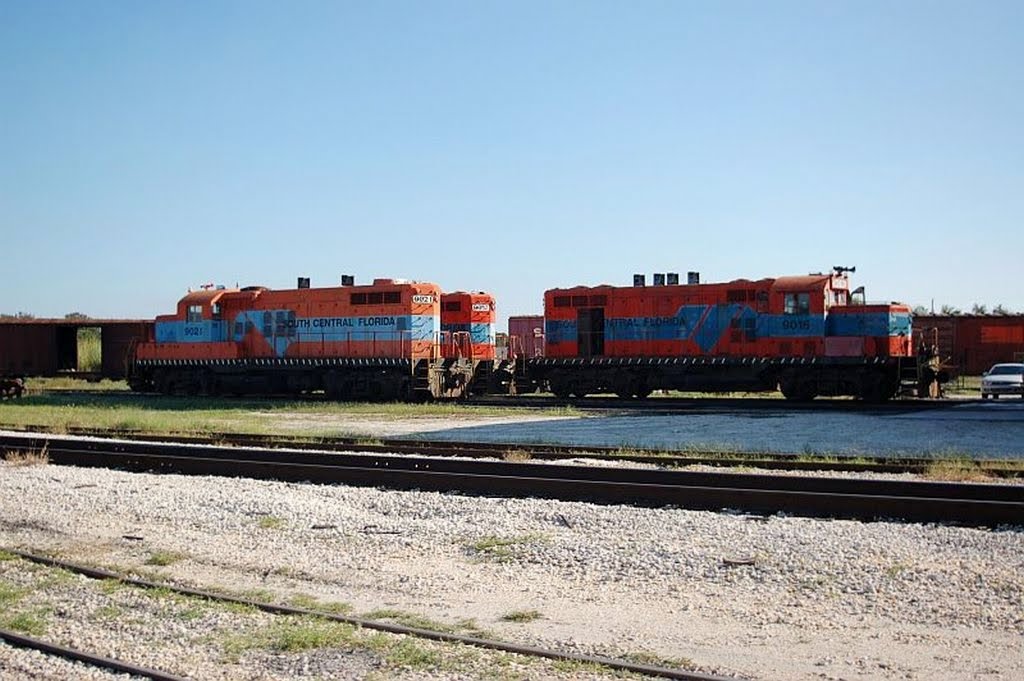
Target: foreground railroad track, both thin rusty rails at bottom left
[(447, 637)]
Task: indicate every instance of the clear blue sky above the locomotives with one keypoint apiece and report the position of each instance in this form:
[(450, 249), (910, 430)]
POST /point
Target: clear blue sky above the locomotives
[(514, 147)]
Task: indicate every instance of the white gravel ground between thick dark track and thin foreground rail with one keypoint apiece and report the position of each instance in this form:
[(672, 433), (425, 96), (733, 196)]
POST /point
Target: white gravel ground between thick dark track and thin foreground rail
[(824, 601)]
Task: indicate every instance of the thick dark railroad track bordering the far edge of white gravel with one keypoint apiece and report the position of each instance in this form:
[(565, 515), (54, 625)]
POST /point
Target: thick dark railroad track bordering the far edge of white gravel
[(988, 505)]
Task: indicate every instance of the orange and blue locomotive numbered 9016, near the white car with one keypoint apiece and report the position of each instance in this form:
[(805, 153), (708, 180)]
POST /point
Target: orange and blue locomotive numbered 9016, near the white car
[(804, 335)]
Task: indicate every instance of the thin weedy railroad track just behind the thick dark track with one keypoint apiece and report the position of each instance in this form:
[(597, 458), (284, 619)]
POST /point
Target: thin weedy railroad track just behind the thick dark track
[(668, 459)]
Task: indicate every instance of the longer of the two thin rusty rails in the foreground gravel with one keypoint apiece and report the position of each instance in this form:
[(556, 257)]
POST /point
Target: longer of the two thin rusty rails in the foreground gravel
[(446, 637)]
